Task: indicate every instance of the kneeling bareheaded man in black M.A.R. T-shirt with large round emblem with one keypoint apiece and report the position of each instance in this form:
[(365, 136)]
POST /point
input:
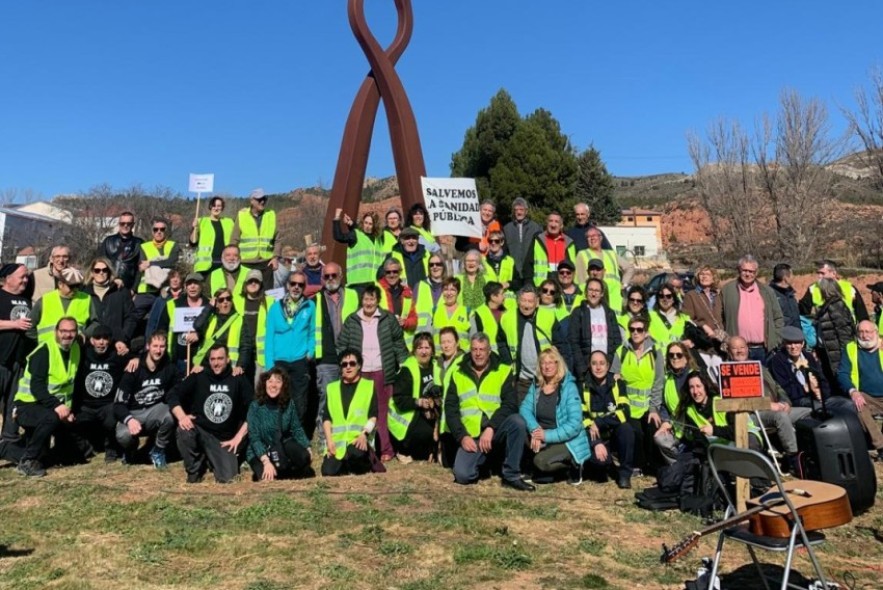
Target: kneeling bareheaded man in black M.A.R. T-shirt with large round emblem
[(211, 407)]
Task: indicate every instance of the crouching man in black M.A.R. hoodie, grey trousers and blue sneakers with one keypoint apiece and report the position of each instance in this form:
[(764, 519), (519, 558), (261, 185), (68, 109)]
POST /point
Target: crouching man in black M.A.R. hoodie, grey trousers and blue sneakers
[(140, 405)]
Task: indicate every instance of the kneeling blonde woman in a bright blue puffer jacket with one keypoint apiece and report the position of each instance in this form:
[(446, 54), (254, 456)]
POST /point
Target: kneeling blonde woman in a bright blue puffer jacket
[(553, 414)]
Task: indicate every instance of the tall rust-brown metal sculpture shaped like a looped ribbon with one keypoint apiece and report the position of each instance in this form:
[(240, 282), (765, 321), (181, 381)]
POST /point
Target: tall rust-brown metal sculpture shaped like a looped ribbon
[(381, 82)]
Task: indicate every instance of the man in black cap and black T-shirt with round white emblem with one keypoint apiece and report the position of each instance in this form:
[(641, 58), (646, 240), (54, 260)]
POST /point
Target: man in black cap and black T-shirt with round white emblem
[(100, 372)]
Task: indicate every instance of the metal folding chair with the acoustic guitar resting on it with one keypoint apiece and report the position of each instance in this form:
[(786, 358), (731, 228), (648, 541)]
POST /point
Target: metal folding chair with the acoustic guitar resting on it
[(748, 464)]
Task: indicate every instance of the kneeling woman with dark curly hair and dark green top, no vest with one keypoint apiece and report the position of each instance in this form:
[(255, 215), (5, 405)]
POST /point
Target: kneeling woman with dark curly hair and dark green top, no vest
[(277, 445)]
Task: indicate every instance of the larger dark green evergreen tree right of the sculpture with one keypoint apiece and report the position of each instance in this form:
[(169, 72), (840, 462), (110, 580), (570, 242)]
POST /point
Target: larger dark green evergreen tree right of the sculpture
[(511, 157)]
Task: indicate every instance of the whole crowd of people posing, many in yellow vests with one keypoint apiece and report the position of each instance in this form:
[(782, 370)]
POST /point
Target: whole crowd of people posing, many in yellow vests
[(537, 358)]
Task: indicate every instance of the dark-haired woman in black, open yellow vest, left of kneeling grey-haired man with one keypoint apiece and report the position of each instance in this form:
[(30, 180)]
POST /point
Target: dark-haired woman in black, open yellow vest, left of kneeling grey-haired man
[(416, 403)]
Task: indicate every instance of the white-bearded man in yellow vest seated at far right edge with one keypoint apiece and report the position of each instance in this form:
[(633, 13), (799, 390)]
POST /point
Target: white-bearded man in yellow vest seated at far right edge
[(861, 376)]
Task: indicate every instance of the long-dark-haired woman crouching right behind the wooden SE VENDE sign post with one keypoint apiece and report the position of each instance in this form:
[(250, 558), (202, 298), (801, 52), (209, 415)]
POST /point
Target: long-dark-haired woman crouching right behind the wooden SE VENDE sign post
[(696, 411)]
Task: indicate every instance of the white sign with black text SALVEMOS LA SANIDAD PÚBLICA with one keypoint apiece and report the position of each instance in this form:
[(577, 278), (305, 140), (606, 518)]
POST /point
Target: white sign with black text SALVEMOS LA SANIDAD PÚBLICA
[(452, 204)]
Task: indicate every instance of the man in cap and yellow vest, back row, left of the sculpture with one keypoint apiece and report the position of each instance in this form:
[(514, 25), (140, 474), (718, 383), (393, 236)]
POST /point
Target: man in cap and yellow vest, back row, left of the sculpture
[(255, 233)]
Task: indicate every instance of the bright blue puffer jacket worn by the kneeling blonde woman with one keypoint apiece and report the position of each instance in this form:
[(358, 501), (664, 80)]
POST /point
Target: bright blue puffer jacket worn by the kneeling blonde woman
[(568, 417)]
